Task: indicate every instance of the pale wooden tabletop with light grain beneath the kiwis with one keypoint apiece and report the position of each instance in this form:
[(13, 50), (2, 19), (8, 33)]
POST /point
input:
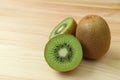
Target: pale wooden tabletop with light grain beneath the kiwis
[(24, 29)]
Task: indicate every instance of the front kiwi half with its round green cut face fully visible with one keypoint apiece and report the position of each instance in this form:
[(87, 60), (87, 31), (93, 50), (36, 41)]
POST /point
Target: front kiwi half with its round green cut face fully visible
[(63, 53)]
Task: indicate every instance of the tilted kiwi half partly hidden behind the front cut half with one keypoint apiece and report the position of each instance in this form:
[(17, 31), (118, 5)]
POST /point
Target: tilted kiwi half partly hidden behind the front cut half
[(67, 26)]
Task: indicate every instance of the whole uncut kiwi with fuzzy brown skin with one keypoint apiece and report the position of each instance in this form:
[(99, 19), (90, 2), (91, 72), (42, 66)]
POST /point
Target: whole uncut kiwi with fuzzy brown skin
[(94, 34)]
